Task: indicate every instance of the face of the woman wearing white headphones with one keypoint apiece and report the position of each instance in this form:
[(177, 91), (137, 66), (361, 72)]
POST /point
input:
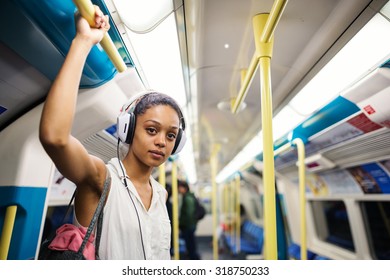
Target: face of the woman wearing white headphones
[(155, 135)]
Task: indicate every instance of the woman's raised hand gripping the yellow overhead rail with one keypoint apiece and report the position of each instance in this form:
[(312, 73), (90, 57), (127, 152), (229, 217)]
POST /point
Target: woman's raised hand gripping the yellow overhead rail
[(92, 34)]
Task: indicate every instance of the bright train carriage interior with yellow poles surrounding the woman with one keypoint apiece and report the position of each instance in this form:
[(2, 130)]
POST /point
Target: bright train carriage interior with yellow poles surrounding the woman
[(310, 165)]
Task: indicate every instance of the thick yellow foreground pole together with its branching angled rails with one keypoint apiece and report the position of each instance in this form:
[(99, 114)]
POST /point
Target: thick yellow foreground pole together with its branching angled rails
[(264, 26)]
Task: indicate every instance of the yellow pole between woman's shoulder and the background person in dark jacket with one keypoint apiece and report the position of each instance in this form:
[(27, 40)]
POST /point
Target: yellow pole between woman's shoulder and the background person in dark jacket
[(175, 212)]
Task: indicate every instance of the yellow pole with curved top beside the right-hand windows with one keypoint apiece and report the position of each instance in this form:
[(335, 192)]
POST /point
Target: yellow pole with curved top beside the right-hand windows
[(302, 199)]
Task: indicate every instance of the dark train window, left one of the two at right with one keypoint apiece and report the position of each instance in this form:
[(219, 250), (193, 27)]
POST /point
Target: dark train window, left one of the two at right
[(332, 223)]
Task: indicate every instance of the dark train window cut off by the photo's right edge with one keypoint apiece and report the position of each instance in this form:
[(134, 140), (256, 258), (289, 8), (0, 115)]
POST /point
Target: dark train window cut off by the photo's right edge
[(377, 221)]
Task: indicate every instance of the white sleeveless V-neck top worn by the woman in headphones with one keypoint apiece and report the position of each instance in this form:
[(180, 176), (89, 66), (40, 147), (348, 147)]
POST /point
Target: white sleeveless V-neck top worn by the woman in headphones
[(122, 238)]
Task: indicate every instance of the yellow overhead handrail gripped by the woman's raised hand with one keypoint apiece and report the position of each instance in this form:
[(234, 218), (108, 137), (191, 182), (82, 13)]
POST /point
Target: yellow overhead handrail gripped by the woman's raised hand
[(87, 11)]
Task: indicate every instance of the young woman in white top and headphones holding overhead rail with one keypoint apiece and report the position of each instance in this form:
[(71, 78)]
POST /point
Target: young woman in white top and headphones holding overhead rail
[(136, 224)]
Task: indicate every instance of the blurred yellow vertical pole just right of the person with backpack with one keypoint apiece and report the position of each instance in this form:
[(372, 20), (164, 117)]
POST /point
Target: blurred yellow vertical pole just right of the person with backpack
[(214, 167)]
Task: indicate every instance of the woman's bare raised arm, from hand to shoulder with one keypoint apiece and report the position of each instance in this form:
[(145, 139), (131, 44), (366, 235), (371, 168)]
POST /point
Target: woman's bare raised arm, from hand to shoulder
[(68, 154)]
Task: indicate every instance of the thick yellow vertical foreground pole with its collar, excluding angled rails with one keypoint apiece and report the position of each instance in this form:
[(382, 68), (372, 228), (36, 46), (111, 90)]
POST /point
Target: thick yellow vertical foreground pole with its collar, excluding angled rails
[(264, 52)]
